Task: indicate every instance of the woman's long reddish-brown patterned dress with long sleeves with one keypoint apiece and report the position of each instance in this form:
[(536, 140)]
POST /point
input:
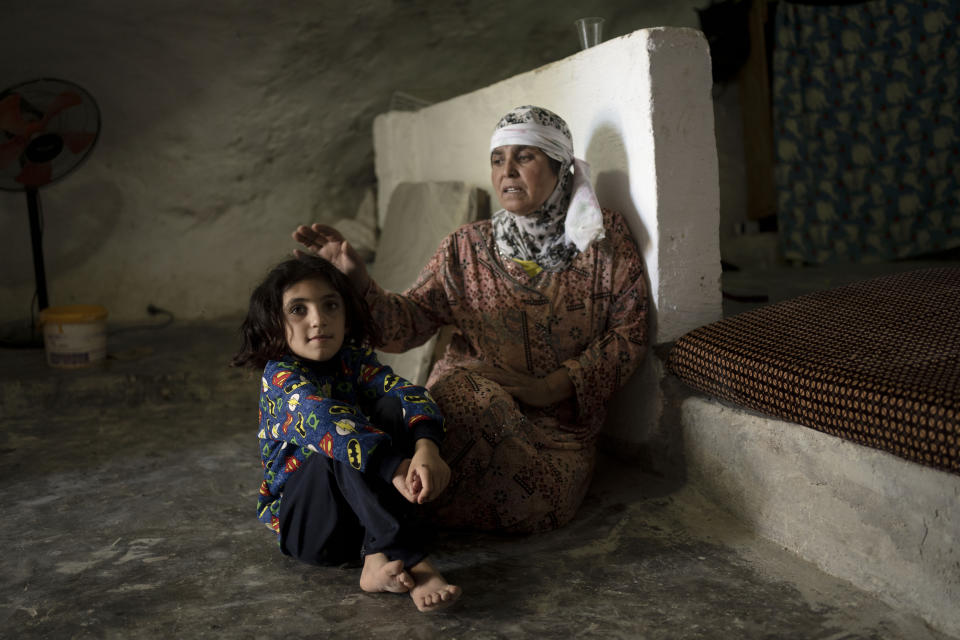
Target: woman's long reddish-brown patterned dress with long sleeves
[(590, 318)]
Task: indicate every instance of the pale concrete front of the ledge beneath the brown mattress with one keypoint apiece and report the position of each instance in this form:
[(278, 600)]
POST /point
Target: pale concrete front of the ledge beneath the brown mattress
[(889, 526)]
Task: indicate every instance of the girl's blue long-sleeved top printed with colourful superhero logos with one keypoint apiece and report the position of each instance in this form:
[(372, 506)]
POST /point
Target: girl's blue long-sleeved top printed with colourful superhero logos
[(309, 408)]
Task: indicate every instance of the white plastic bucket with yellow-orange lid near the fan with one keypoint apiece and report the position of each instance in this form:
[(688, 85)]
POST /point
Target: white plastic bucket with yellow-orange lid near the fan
[(74, 335)]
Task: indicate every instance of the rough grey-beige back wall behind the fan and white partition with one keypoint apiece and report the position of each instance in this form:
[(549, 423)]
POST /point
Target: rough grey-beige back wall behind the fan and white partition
[(224, 124)]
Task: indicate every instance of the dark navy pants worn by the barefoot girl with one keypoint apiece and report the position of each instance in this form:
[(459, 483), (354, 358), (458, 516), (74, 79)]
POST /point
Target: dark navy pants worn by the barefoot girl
[(332, 514)]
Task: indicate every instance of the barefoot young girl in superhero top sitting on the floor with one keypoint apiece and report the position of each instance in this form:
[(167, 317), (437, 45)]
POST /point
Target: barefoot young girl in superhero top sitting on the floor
[(345, 444)]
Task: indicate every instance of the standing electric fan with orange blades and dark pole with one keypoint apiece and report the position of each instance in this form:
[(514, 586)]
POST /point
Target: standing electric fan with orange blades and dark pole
[(47, 128)]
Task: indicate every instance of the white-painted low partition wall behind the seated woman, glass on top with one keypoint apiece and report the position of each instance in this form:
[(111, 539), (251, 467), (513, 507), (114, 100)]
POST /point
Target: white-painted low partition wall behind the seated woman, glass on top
[(640, 111)]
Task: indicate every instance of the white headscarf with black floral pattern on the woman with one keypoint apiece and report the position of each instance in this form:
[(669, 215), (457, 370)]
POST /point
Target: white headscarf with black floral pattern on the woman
[(570, 219)]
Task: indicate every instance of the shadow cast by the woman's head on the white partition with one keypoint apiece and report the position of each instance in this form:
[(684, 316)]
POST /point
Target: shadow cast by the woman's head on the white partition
[(607, 148)]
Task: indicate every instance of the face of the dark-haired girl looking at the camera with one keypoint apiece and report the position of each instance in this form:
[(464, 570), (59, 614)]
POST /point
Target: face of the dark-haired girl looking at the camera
[(315, 319)]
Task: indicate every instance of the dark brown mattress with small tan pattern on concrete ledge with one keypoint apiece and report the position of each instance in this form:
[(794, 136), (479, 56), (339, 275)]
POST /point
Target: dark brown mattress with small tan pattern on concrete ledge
[(876, 362)]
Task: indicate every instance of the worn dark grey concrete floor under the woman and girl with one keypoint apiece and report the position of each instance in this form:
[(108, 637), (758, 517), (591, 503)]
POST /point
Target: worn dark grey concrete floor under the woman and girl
[(130, 491)]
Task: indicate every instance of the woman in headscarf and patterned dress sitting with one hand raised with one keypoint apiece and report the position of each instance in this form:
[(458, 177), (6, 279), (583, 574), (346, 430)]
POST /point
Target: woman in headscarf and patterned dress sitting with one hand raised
[(549, 303)]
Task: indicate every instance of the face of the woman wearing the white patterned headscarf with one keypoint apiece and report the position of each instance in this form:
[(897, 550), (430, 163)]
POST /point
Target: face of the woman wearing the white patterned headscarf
[(522, 177)]
